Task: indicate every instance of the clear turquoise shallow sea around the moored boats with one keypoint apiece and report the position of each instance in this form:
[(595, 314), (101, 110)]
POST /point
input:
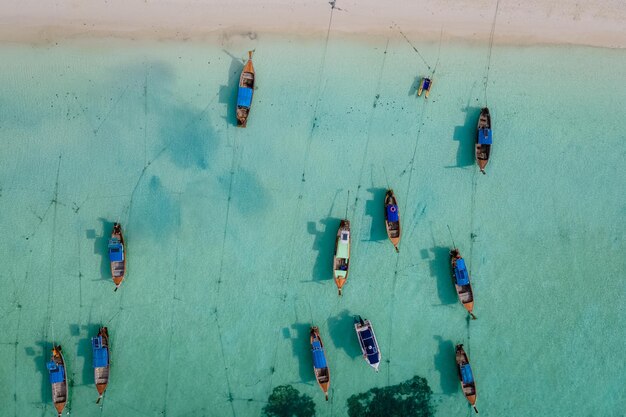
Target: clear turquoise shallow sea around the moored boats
[(230, 232)]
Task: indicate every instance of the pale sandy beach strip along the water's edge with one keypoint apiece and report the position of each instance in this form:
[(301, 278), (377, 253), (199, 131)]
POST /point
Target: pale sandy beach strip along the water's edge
[(598, 23)]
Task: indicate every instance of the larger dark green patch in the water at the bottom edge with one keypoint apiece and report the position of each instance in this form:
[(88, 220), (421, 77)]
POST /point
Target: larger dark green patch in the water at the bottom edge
[(409, 398)]
